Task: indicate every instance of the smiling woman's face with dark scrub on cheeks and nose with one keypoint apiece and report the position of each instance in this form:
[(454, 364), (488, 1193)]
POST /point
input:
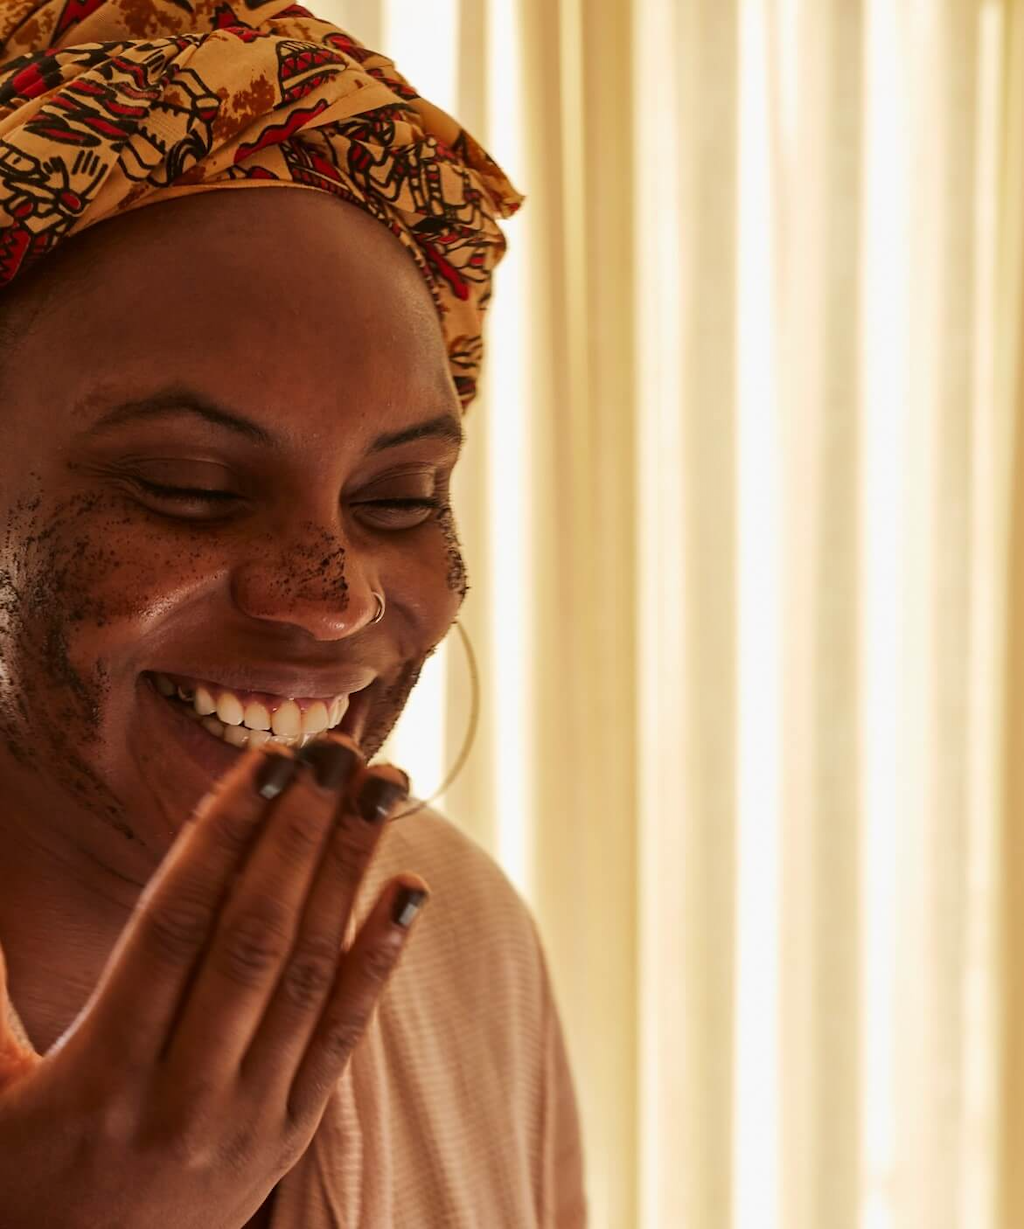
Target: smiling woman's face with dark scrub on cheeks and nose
[(261, 347)]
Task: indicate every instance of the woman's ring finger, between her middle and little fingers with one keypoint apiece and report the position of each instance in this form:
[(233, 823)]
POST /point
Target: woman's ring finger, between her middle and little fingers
[(313, 965)]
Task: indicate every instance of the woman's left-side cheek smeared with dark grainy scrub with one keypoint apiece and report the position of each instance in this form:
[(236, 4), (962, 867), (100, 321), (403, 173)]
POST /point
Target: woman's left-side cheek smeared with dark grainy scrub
[(78, 584)]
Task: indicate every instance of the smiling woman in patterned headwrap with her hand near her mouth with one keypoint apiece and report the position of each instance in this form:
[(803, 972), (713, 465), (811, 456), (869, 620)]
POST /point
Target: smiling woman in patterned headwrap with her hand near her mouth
[(232, 420)]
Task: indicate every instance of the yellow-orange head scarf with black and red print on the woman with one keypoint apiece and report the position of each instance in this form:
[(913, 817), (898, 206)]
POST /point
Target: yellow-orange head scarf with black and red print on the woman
[(111, 105)]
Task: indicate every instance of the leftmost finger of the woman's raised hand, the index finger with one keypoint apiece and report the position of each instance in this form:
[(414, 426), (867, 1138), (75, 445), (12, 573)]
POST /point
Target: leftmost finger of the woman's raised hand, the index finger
[(132, 1011)]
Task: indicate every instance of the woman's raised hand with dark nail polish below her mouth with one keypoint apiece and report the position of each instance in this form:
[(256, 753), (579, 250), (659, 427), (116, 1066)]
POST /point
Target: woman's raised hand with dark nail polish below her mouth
[(197, 1074)]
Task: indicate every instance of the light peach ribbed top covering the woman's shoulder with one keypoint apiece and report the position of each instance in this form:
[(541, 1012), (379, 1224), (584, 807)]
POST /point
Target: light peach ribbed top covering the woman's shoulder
[(458, 1109)]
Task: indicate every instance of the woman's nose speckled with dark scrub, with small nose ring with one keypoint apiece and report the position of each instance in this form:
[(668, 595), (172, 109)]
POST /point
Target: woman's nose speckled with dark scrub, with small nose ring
[(312, 586)]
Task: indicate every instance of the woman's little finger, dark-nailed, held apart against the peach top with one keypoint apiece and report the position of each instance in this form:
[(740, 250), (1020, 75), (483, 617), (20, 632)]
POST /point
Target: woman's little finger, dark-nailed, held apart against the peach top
[(364, 973)]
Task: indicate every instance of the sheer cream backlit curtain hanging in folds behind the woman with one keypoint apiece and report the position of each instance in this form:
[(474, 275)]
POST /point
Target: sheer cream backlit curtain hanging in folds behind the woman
[(743, 507)]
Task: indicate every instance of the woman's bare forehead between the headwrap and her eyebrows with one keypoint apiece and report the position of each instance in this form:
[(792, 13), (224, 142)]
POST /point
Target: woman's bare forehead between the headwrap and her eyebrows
[(282, 299)]
